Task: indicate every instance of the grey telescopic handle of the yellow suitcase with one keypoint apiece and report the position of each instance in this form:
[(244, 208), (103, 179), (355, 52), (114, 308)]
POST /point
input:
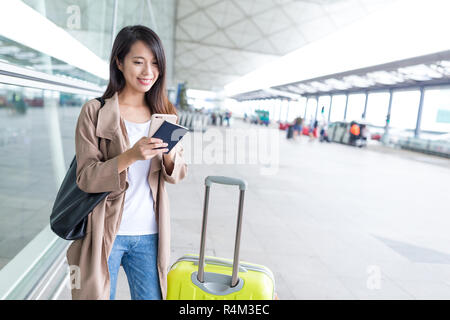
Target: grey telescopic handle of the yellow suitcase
[(242, 187)]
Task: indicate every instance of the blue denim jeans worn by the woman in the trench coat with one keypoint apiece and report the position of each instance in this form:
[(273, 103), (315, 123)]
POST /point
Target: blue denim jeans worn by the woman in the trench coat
[(138, 256)]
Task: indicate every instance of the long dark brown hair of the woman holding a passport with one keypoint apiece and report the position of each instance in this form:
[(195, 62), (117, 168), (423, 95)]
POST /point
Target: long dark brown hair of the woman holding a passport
[(156, 97)]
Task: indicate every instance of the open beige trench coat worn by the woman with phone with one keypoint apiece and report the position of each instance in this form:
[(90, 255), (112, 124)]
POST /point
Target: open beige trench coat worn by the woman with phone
[(97, 172)]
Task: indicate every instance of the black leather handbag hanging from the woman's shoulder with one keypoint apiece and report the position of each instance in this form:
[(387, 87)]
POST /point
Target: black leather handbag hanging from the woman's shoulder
[(72, 205)]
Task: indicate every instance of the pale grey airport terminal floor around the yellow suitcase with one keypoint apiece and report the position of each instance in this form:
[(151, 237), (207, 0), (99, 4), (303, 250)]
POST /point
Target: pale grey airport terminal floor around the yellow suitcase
[(334, 221)]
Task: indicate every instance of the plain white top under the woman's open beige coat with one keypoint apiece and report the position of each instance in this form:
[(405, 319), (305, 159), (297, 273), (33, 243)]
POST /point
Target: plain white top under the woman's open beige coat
[(138, 216)]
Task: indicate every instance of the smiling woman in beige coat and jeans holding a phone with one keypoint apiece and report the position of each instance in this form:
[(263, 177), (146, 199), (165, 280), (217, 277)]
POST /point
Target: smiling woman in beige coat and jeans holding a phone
[(131, 226)]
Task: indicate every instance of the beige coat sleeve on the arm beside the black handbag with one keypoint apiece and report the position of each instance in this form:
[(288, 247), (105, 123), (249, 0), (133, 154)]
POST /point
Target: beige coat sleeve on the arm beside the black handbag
[(93, 174)]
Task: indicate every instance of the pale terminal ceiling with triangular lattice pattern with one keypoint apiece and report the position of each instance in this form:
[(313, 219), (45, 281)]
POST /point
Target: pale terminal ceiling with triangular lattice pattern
[(217, 42)]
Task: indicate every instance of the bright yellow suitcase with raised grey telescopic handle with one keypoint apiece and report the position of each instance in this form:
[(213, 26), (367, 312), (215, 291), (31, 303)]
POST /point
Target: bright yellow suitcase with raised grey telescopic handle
[(196, 277)]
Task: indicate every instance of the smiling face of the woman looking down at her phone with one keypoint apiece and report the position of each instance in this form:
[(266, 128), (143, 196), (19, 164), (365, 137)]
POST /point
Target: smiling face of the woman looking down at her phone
[(139, 68)]
